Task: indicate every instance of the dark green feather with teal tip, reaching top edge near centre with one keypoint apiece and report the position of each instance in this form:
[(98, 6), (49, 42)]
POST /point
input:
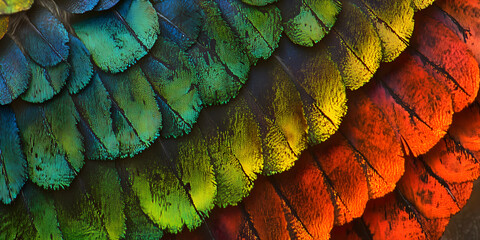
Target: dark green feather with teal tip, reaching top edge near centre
[(219, 58)]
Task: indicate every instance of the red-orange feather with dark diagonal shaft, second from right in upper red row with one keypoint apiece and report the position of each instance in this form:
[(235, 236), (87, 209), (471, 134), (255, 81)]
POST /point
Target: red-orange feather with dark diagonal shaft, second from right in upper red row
[(409, 108)]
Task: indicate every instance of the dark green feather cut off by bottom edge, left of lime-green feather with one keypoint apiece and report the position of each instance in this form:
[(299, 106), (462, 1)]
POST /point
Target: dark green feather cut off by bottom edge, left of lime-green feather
[(99, 187)]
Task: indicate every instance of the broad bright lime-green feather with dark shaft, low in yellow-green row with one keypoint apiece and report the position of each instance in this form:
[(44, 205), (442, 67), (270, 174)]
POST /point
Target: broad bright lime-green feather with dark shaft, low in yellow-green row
[(174, 194)]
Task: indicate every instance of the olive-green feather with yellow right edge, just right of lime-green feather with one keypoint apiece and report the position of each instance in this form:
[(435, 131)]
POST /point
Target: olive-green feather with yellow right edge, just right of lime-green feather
[(235, 152)]
